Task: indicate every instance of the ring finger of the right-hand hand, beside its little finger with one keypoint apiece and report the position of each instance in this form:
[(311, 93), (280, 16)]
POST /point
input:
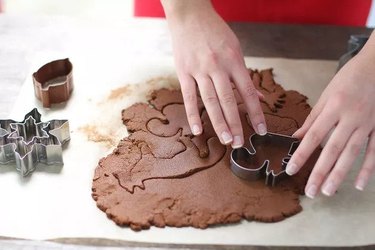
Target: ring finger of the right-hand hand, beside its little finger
[(344, 162)]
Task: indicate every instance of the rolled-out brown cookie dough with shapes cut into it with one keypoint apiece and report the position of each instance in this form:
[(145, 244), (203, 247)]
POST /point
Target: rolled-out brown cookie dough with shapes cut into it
[(162, 175)]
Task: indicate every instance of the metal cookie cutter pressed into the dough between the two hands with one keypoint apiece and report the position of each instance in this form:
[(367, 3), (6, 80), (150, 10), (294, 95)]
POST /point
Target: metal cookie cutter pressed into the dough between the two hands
[(255, 162)]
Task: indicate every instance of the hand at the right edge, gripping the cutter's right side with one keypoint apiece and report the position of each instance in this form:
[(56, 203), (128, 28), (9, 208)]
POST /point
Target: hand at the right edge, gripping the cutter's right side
[(347, 107)]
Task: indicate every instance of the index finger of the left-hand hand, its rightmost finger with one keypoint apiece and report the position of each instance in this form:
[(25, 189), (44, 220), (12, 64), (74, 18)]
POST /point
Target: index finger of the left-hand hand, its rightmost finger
[(249, 95)]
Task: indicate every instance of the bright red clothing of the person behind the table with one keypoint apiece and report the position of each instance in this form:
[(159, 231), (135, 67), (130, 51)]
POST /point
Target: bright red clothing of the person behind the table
[(339, 12)]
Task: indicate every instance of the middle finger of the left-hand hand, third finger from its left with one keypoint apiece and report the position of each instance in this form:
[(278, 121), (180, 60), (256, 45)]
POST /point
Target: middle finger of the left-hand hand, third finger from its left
[(229, 107)]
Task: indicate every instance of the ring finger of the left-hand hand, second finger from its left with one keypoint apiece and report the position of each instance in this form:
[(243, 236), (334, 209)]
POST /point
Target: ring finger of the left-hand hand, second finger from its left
[(212, 104)]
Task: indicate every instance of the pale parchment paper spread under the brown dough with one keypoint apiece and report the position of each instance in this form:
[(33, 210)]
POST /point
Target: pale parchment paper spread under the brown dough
[(50, 205)]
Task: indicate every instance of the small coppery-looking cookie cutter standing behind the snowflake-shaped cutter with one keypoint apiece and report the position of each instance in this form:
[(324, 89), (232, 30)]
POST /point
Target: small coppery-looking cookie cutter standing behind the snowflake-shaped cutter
[(53, 82)]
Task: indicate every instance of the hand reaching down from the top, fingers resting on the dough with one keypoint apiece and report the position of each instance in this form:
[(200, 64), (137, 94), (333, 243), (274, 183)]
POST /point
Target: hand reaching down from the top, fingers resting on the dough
[(208, 55)]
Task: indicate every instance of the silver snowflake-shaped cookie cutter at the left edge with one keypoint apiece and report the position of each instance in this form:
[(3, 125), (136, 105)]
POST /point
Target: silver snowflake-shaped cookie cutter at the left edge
[(32, 141)]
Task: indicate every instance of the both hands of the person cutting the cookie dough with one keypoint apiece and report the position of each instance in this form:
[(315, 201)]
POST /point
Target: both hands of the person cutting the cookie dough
[(208, 56)]
